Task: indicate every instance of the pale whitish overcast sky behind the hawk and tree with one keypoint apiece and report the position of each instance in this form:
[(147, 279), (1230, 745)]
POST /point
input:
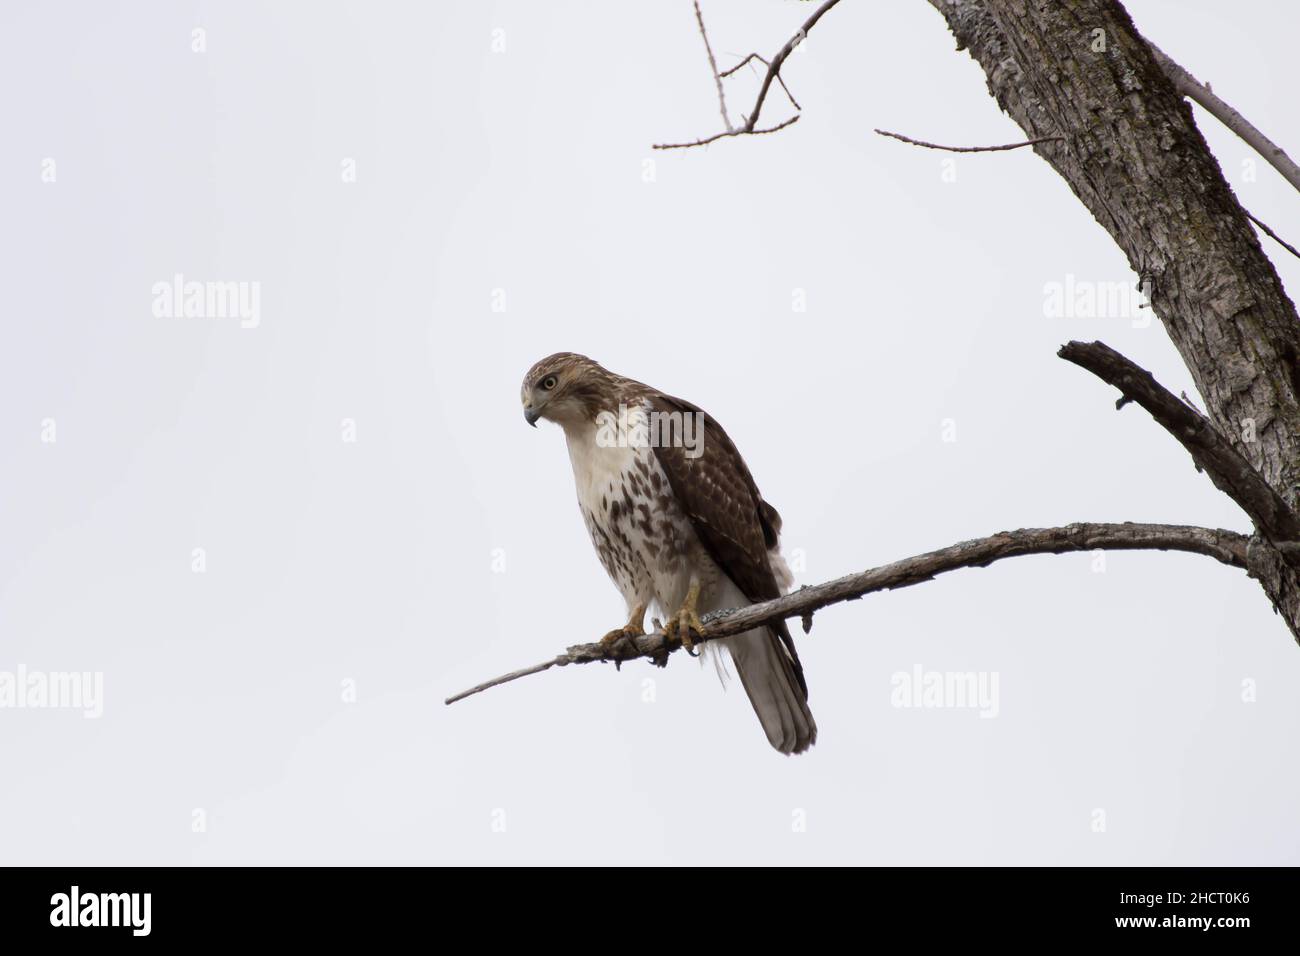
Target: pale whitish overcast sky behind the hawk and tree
[(374, 563)]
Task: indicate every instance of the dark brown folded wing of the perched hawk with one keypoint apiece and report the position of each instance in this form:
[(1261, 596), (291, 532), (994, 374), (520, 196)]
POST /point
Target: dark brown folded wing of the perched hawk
[(729, 514)]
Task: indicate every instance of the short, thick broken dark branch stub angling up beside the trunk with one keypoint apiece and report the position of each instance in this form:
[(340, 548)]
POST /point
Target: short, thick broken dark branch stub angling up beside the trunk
[(1230, 473)]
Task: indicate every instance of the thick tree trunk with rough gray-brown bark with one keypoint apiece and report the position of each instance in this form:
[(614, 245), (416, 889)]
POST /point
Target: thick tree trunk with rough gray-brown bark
[(1133, 154)]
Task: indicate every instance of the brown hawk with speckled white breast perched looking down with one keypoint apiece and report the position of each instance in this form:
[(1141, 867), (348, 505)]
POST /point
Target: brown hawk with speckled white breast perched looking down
[(677, 522)]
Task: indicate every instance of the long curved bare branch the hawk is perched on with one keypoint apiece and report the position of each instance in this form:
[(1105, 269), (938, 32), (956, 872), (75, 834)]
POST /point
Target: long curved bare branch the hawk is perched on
[(1225, 547)]
